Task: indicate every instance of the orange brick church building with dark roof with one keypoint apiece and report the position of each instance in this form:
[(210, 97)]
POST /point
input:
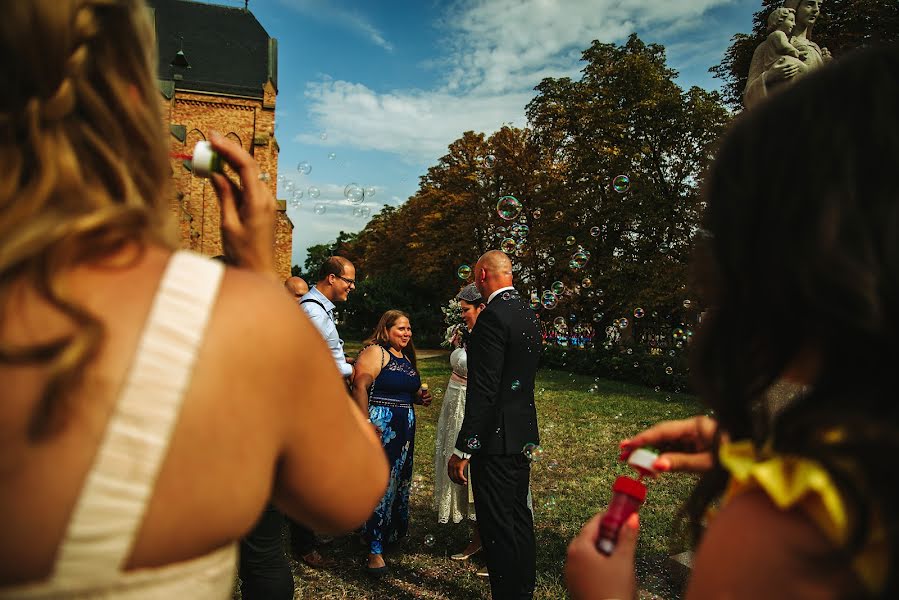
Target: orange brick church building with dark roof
[(217, 71)]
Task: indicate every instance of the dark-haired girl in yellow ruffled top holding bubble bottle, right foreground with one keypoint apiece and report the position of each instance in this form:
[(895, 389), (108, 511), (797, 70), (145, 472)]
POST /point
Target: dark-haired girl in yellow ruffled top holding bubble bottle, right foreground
[(801, 268)]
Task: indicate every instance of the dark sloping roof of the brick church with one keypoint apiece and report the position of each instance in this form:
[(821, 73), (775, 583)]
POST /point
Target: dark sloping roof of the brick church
[(212, 48)]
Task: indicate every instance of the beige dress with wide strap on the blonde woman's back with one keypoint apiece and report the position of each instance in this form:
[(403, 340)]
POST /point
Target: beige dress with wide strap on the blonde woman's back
[(109, 511)]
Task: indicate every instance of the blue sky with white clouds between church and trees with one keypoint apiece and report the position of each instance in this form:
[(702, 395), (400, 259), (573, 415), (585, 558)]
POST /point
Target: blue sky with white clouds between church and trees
[(372, 92)]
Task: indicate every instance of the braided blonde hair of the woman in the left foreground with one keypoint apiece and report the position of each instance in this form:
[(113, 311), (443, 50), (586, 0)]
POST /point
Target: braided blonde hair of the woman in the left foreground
[(83, 165)]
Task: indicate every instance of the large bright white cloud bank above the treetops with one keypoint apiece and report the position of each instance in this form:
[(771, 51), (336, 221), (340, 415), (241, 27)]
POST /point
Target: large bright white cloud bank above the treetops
[(498, 50)]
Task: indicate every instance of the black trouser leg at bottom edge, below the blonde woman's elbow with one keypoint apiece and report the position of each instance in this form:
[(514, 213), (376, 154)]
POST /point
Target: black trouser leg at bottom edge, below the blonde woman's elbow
[(264, 571)]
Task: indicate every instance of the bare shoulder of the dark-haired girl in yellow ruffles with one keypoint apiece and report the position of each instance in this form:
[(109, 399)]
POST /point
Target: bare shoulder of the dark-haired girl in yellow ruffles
[(753, 549)]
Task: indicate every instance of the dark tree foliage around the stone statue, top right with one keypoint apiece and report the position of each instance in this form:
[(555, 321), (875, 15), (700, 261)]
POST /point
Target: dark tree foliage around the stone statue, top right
[(842, 26)]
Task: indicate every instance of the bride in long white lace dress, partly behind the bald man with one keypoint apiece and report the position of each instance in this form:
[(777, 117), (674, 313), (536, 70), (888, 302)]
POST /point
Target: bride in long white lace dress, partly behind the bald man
[(450, 500)]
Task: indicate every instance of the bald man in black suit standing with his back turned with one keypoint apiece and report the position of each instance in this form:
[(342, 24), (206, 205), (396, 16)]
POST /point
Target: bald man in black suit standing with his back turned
[(500, 420)]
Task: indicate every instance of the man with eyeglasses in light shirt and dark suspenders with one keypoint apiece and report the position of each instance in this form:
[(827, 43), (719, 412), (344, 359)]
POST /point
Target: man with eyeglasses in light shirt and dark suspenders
[(336, 279)]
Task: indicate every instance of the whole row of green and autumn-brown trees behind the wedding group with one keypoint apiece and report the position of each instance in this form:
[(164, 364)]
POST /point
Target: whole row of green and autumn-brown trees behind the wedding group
[(624, 116)]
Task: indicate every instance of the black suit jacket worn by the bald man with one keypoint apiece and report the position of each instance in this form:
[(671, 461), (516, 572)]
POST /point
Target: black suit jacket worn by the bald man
[(503, 355)]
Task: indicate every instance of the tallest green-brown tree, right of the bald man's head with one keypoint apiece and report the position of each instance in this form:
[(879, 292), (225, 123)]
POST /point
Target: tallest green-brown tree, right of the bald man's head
[(625, 116)]
